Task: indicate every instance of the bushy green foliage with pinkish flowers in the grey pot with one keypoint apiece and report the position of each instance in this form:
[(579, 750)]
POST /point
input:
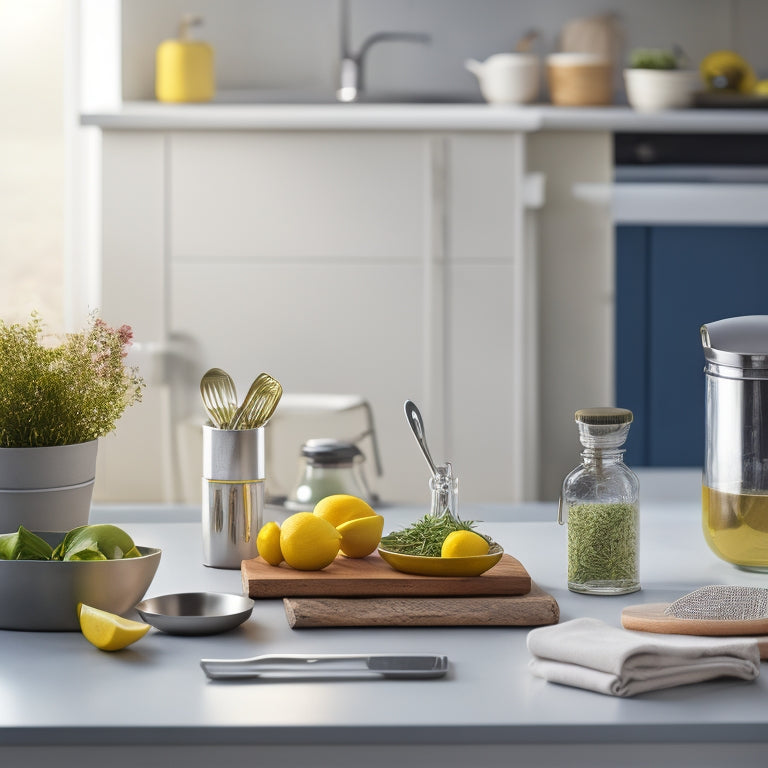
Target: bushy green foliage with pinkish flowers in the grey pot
[(65, 393)]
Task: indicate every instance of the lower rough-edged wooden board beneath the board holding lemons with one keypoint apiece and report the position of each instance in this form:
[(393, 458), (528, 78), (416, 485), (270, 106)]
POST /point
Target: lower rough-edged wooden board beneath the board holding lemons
[(533, 609)]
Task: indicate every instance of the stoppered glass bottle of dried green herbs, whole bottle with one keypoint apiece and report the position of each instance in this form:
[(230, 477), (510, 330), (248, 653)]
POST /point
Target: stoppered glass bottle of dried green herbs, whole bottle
[(600, 500)]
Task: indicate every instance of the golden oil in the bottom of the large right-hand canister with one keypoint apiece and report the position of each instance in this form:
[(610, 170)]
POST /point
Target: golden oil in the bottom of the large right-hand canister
[(736, 527)]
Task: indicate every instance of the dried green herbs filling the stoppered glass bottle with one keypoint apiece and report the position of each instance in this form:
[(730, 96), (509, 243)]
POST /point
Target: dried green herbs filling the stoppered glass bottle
[(602, 543)]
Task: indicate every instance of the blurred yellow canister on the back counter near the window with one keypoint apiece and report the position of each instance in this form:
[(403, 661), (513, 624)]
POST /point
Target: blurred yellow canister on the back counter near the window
[(184, 70)]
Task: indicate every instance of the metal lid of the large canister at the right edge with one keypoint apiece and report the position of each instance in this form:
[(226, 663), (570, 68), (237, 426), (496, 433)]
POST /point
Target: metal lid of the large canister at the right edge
[(737, 342)]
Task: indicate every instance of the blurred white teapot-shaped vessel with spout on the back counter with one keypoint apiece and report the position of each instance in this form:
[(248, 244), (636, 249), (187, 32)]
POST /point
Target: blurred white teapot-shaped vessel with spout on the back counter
[(507, 78)]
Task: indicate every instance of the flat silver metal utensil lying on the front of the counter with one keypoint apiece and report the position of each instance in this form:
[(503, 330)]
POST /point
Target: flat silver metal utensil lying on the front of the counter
[(327, 665)]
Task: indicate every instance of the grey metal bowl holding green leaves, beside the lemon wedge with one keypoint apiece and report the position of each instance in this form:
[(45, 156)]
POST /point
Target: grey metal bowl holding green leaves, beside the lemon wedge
[(42, 595)]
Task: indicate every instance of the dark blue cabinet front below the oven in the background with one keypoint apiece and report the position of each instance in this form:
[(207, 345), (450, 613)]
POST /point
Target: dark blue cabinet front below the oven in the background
[(691, 275)]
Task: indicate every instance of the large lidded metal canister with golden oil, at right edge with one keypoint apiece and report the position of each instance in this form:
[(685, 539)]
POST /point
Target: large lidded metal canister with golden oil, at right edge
[(735, 481)]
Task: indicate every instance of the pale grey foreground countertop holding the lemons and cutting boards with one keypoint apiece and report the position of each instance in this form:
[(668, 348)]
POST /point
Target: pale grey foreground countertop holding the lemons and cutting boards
[(64, 701)]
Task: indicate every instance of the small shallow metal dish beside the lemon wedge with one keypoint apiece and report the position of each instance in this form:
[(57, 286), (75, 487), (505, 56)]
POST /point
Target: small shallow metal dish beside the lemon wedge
[(195, 613)]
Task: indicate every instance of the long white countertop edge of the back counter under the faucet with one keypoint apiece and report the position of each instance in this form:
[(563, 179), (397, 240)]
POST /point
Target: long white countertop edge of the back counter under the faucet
[(415, 117)]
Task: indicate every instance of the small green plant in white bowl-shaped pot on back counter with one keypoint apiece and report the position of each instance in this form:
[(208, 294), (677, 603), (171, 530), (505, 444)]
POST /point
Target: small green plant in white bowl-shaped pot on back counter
[(655, 80)]
